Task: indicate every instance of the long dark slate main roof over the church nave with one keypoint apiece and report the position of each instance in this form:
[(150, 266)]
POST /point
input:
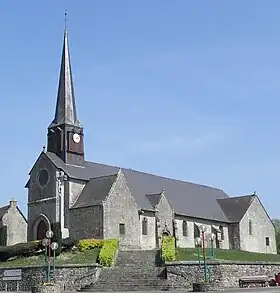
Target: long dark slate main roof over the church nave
[(186, 198)]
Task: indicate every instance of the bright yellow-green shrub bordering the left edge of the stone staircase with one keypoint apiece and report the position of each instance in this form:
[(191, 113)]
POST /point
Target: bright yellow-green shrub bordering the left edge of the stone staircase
[(108, 252)]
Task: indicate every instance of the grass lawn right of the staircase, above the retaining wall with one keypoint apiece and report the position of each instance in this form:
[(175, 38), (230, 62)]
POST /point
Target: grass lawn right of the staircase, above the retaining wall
[(223, 254)]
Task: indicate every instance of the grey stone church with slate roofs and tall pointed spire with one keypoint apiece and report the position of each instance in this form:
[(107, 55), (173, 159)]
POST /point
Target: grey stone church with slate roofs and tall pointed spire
[(92, 200)]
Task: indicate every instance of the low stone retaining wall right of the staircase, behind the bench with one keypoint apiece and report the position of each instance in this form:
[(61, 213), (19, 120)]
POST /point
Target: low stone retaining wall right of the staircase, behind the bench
[(223, 274)]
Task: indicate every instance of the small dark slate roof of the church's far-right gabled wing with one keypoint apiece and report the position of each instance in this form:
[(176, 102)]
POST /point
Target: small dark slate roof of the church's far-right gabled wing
[(235, 208)]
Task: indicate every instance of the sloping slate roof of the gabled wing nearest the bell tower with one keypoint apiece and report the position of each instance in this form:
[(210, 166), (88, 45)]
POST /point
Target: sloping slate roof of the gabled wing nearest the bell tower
[(95, 191)]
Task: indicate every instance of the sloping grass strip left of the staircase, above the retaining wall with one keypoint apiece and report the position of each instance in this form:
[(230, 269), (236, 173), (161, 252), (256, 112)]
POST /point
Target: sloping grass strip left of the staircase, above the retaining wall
[(73, 257)]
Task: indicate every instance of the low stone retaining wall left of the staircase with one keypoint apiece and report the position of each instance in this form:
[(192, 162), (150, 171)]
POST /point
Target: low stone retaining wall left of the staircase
[(69, 277)]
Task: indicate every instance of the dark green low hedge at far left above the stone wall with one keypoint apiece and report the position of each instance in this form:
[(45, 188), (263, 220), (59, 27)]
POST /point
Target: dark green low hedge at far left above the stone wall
[(20, 250)]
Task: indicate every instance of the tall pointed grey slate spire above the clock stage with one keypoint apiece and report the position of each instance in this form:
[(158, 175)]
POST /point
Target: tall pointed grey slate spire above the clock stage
[(65, 112)]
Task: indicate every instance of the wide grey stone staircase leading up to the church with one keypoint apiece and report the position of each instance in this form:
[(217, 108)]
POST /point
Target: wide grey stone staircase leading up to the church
[(134, 271)]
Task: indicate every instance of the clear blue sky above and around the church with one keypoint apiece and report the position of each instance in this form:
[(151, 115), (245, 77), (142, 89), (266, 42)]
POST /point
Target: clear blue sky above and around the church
[(185, 89)]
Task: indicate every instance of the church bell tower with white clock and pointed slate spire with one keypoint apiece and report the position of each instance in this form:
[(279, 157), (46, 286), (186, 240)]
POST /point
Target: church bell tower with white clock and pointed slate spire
[(65, 133)]
